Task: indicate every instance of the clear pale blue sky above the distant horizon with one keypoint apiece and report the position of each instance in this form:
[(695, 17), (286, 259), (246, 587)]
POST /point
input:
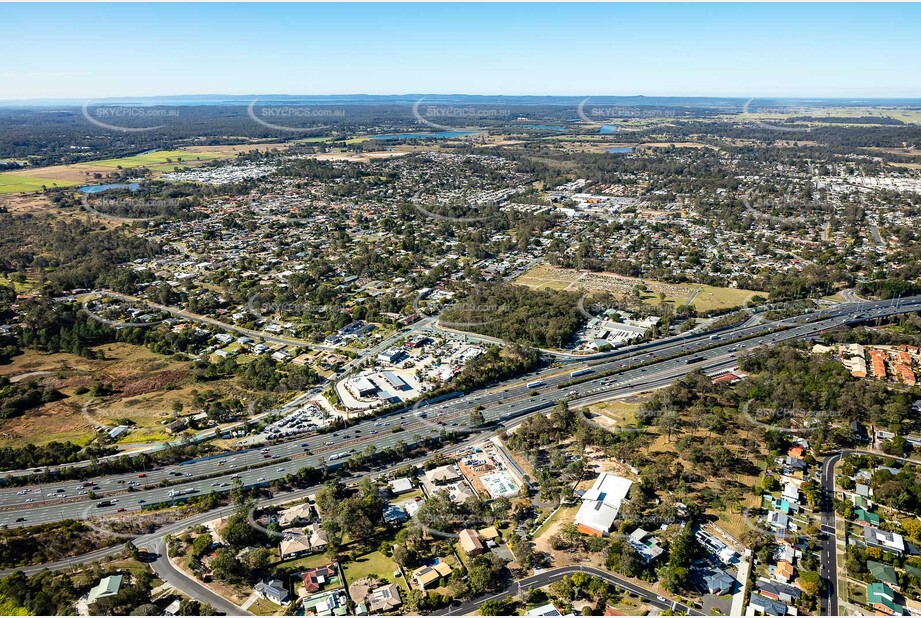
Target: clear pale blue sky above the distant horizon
[(746, 50)]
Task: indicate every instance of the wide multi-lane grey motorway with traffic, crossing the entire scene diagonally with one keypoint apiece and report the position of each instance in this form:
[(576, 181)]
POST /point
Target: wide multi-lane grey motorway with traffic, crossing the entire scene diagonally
[(638, 369)]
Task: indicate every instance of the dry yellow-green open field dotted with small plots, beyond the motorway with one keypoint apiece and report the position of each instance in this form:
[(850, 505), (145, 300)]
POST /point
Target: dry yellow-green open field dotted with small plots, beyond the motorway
[(703, 297)]
